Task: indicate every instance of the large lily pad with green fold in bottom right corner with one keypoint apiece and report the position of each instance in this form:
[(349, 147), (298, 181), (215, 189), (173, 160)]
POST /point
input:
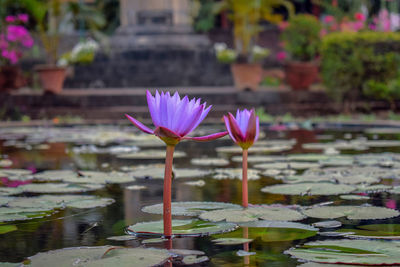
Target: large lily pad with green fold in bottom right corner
[(357, 252)]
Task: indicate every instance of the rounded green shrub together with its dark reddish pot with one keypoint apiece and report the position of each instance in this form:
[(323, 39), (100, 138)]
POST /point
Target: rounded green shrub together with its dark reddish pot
[(302, 42)]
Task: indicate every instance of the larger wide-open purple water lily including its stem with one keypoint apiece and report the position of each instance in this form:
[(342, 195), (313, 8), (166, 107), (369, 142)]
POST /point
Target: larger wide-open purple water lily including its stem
[(174, 118)]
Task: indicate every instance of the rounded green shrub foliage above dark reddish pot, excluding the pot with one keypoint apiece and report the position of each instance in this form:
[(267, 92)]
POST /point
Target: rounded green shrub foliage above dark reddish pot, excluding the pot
[(302, 38)]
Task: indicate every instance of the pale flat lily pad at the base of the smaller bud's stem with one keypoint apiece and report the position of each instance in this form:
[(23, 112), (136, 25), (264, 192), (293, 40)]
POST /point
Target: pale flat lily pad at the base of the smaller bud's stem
[(253, 214)]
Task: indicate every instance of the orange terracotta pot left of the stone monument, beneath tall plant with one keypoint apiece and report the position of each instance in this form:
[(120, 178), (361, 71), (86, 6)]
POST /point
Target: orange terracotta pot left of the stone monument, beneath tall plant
[(51, 78)]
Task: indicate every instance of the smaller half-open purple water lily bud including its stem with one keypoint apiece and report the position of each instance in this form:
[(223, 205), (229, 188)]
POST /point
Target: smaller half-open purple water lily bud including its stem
[(244, 131)]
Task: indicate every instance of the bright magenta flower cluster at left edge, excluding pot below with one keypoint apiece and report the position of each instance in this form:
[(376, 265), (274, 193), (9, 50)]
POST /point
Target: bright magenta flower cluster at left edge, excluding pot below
[(14, 39)]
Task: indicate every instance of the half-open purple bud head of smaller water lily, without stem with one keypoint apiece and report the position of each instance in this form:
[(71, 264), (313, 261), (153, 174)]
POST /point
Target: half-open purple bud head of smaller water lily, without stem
[(244, 129)]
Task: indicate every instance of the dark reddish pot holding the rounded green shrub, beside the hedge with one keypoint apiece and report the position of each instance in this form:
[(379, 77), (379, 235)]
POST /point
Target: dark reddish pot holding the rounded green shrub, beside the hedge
[(300, 75)]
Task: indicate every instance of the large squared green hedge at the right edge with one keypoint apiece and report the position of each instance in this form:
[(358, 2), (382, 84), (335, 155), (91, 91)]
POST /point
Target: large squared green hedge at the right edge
[(350, 59)]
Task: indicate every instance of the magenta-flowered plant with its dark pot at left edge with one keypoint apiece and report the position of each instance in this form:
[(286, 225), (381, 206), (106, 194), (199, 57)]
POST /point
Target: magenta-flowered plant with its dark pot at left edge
[(14, 41)]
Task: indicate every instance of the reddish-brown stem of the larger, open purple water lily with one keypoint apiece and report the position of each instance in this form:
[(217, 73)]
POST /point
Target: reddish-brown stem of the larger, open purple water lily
[(167, 192)]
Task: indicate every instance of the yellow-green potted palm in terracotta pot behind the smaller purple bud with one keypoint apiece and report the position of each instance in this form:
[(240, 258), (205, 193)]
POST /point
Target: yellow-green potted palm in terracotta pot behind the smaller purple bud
[(246, 16)]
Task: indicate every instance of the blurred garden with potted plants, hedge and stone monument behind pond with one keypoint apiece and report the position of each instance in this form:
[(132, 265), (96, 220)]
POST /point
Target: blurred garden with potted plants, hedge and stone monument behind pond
[(307, 60)]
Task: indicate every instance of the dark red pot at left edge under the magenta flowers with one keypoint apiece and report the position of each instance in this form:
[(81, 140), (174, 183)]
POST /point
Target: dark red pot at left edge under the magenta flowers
[(11, 77)]
